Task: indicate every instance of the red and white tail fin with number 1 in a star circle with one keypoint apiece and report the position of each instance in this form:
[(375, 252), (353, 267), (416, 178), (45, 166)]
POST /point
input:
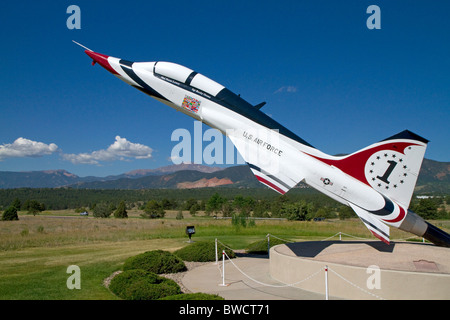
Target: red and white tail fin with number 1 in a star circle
[(390, 166)]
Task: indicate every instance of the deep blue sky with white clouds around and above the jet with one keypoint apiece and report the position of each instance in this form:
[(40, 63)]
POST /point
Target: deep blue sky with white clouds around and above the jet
[(322, 72)]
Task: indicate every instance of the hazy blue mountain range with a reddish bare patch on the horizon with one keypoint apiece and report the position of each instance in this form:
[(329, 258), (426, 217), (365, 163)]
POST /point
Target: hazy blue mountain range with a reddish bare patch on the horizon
[(434, 177)]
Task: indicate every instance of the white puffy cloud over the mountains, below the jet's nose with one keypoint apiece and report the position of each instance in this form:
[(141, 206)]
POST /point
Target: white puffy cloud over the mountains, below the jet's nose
[(121, 149)]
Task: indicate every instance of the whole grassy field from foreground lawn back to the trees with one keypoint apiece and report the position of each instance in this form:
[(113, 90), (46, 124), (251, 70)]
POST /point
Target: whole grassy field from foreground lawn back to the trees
[(36, 251)]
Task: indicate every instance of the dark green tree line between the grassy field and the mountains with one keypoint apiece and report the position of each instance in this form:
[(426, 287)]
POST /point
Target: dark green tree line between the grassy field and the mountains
[(154, 204)]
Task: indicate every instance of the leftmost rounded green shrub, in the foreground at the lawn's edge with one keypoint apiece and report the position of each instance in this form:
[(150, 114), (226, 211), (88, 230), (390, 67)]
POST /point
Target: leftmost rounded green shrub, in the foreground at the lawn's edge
[(142, 285)]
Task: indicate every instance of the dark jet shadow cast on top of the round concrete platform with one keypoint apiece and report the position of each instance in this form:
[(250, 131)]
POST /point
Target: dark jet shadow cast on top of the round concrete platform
[(311, 249)]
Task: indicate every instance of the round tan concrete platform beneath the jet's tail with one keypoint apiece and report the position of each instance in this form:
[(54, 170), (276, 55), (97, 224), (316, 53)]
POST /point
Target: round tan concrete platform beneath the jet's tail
[(365, 269)]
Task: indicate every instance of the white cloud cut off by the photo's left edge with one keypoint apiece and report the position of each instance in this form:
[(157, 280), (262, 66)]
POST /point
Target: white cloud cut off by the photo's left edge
[(26, 148)]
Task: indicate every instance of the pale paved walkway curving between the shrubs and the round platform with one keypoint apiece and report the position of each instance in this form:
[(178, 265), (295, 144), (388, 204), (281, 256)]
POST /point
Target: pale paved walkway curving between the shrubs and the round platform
[(256, 284)]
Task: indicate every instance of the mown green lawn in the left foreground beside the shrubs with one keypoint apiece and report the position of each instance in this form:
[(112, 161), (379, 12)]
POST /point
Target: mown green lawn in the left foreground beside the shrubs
[(41, 272)]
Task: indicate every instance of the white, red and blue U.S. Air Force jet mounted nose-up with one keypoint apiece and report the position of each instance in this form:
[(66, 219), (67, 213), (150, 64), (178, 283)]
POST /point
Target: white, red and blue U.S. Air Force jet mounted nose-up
[(377, 182)]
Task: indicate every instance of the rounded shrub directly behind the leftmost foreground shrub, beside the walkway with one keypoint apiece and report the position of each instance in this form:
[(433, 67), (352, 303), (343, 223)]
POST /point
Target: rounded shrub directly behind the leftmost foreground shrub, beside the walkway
[(156, 261)]
